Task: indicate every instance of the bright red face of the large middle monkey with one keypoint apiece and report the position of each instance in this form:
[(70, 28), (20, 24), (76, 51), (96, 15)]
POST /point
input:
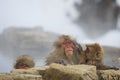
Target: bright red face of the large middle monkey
[(67, 45)]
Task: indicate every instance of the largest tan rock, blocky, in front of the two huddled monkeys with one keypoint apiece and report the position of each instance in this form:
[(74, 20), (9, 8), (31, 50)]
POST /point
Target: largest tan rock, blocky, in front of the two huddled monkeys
[(73, 72)]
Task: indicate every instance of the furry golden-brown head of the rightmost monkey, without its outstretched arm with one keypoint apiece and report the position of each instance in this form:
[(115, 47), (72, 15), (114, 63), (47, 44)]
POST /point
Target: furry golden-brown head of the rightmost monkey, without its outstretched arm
[(95, 54)]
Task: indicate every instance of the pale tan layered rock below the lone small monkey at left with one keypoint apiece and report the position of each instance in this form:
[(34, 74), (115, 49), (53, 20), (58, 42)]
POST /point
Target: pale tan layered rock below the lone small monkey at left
[(35, 73)]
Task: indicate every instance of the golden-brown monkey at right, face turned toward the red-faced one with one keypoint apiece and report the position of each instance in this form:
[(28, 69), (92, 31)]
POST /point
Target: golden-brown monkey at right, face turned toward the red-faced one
[(94, 56)]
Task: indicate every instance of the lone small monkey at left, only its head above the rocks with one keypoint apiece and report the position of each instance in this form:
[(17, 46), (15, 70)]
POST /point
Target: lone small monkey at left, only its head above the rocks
[(24, 62)]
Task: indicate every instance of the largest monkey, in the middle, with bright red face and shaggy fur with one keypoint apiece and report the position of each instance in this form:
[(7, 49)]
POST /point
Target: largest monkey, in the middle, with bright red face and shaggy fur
[(67, 51)]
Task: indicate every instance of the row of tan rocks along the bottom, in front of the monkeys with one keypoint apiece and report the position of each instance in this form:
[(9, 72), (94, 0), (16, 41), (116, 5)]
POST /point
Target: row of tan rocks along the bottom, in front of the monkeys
[(60, 72)]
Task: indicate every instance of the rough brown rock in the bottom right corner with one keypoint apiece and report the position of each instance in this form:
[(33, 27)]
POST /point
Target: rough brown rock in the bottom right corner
[(109, 74)]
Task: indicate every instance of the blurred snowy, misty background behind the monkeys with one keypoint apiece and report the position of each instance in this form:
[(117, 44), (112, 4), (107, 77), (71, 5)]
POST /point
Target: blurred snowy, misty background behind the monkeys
[(31, 26)]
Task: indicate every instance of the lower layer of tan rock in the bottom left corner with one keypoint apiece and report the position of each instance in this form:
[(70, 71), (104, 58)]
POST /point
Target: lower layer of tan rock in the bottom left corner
[(6, 76)]
